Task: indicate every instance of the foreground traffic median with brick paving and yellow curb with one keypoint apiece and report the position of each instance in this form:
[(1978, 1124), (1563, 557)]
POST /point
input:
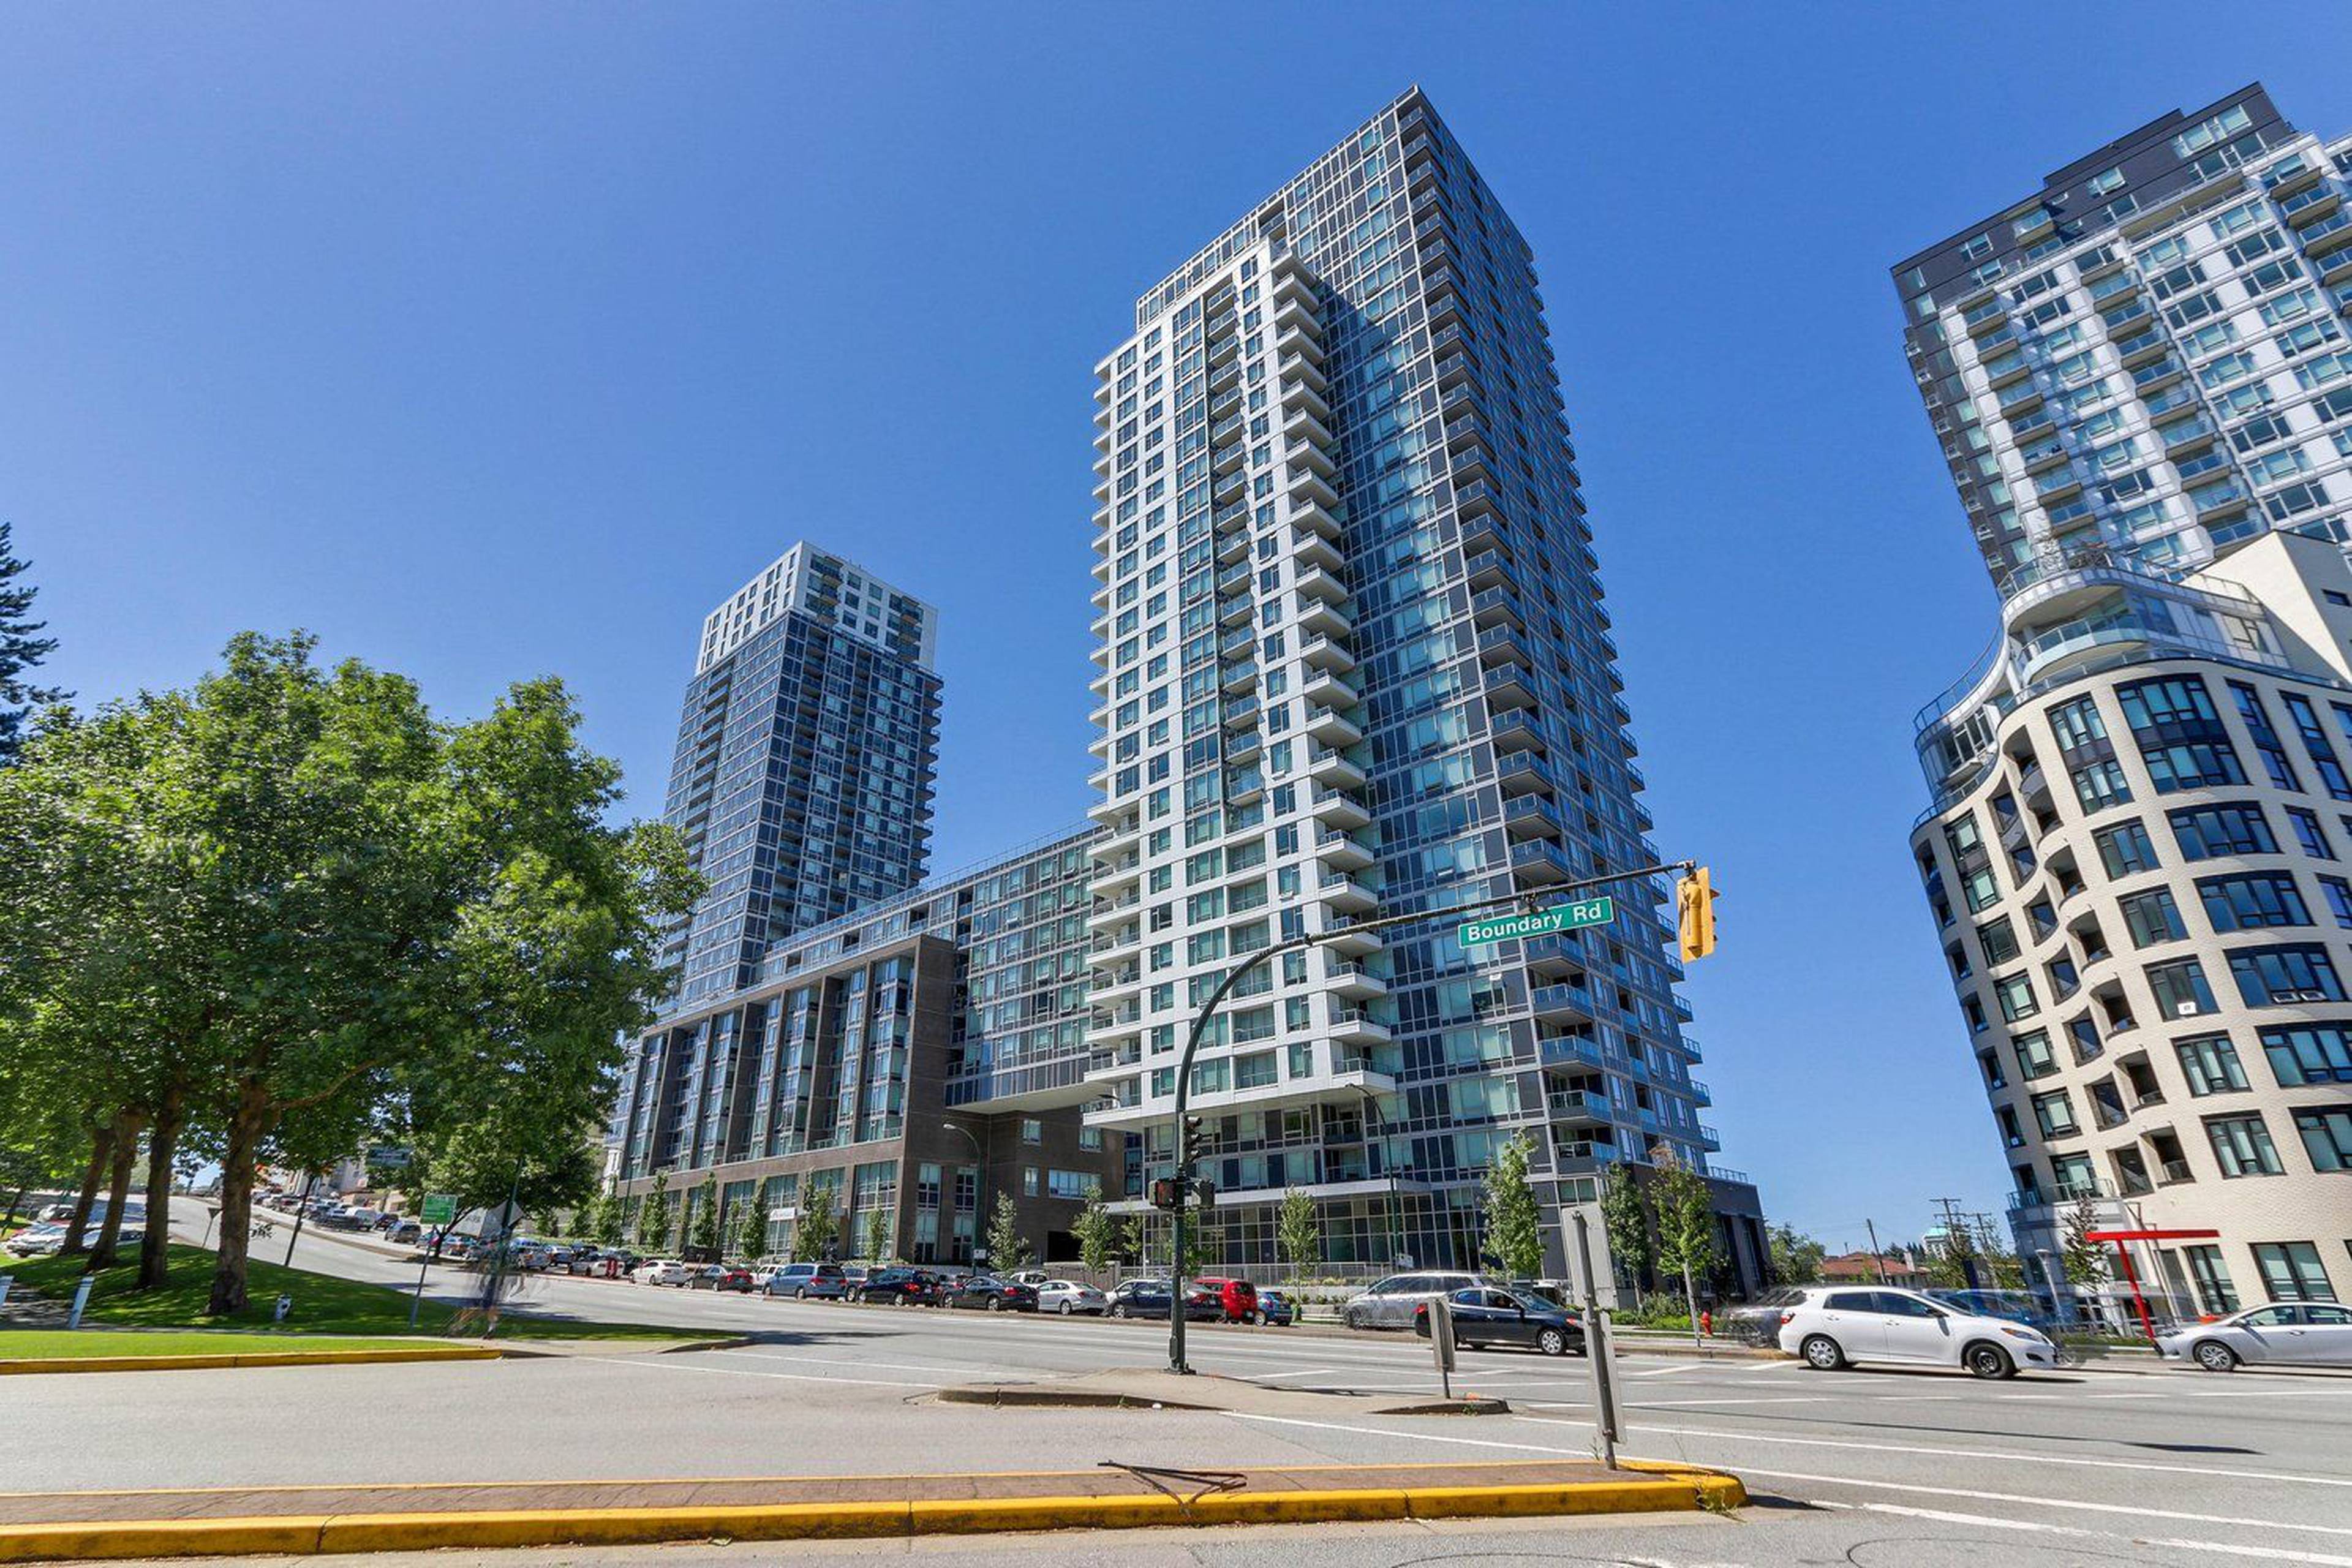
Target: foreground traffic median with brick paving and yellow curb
[(309, 1520)]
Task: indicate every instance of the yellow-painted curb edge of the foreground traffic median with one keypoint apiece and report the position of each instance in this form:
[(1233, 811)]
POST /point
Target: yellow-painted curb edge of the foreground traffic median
[(1650, 1492)]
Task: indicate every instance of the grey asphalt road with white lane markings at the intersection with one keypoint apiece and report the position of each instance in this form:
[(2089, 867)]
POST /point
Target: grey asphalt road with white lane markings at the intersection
[(1866, 1468)]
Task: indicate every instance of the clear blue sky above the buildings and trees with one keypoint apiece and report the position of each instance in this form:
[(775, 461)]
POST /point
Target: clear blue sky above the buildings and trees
[(505, 340)]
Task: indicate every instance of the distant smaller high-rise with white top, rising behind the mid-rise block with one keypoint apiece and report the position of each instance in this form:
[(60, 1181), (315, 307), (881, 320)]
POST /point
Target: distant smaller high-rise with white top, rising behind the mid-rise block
[(808, 751)]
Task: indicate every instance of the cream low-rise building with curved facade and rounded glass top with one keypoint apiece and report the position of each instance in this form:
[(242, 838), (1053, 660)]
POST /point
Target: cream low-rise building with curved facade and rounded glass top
[(2141, 873)]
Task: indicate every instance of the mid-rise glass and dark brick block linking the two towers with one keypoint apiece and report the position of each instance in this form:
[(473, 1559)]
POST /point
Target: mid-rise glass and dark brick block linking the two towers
[(916, 1059)]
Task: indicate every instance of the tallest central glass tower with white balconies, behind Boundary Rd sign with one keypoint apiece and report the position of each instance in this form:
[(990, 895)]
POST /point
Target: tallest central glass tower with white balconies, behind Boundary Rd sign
[(1354, 659)]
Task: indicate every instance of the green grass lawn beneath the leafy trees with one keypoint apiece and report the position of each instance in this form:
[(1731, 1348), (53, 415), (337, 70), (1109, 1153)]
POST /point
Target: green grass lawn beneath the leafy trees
[(323, 1304)]
